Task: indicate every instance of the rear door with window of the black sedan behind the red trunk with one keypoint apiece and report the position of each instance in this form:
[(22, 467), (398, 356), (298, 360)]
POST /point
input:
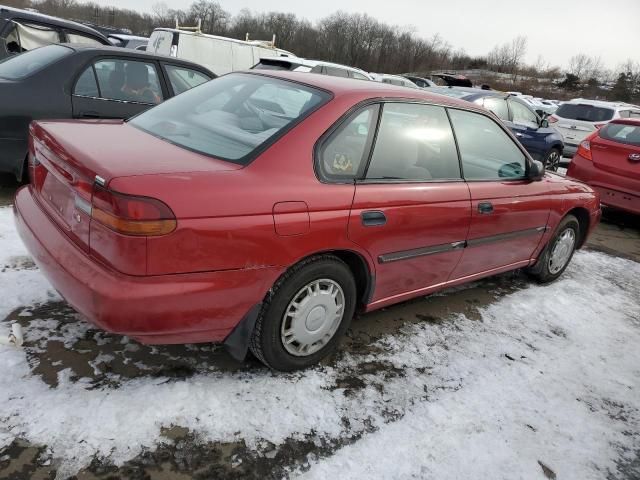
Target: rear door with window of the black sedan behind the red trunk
[(116, 88)]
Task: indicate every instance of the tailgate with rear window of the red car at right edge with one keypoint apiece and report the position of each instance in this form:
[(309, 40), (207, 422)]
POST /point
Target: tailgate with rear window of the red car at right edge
[(616, 149)]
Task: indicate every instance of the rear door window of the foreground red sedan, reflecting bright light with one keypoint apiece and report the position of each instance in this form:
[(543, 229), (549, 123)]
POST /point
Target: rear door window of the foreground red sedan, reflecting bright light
[(414, 142)]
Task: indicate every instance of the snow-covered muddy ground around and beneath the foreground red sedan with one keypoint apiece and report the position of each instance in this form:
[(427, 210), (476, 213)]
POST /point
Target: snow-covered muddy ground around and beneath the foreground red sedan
[(497, 379)]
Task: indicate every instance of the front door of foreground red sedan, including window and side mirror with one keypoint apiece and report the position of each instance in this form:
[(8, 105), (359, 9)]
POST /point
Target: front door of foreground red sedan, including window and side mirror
[(509, 212)]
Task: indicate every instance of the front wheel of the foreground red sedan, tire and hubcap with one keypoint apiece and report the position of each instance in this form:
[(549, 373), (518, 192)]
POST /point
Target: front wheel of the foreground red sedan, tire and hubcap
[(545, 270)]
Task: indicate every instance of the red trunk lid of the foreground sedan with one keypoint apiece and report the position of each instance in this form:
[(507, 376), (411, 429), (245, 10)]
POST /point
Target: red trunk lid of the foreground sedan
[(67, 157)]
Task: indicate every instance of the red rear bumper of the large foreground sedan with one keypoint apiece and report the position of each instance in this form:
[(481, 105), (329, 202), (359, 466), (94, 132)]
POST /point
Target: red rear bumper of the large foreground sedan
[(181, 308)]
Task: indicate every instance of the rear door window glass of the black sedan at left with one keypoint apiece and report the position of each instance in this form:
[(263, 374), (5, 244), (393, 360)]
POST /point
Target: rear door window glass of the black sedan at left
[(130, 81)]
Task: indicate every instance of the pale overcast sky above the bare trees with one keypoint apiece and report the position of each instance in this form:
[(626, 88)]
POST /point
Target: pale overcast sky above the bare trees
[(556, 29)]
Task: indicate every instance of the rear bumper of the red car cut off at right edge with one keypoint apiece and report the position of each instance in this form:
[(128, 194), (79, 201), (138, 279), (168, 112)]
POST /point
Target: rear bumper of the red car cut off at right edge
[(615, 191)]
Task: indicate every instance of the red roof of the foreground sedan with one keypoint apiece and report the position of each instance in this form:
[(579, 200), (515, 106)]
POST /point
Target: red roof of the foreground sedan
[(345, 87)]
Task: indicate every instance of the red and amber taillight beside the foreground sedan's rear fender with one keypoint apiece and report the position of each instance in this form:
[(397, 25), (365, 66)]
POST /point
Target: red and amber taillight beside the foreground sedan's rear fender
[(130, 214)]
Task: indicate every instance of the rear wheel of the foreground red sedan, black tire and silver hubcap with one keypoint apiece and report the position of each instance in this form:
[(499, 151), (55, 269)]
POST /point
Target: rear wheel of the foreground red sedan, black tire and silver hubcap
[(276, 323)]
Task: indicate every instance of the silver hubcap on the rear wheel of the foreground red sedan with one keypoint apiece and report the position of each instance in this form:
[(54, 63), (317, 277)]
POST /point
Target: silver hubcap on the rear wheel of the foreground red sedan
[(312, 317)]
